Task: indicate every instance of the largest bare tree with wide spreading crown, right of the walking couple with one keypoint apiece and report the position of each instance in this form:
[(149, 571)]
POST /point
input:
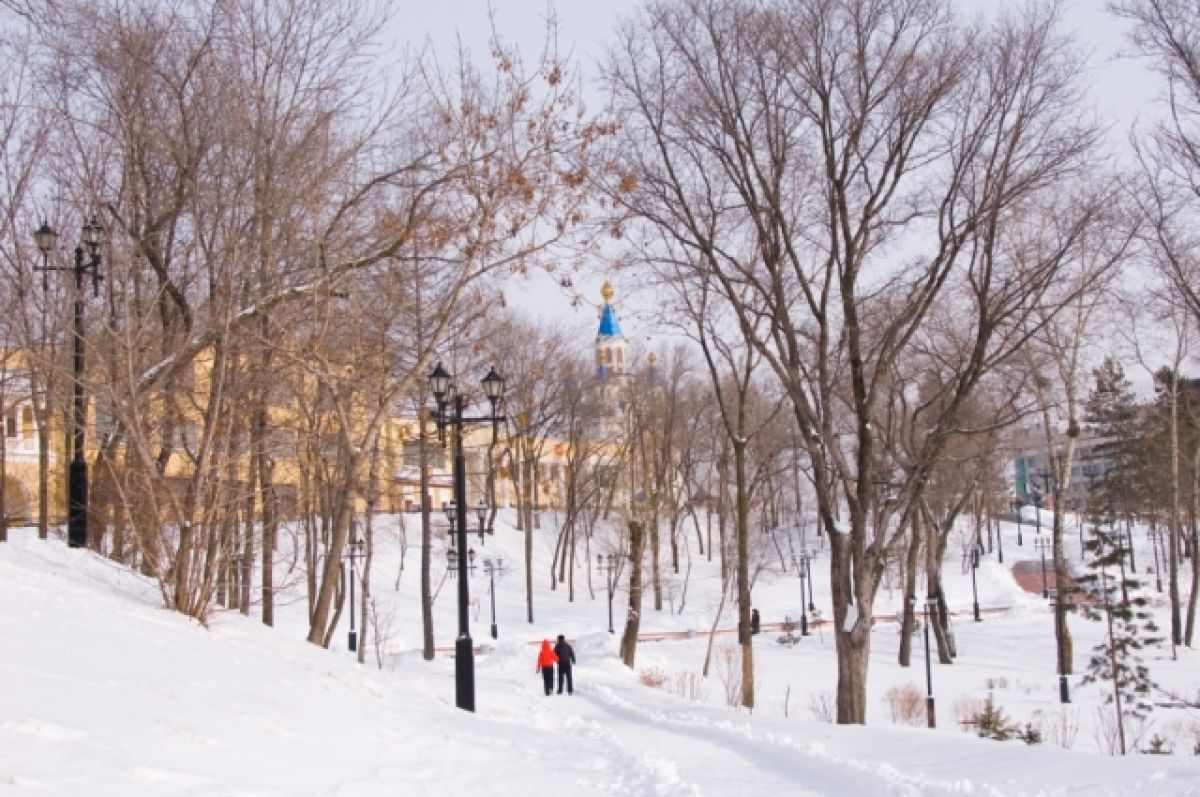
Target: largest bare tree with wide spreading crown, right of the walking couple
[(839, 167)]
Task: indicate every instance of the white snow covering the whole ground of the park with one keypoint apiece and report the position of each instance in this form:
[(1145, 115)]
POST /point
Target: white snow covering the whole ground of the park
[(107, 693)]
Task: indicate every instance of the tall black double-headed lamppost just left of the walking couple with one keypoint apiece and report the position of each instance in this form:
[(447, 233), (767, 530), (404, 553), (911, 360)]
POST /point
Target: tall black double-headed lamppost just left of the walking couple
[(449, 415)]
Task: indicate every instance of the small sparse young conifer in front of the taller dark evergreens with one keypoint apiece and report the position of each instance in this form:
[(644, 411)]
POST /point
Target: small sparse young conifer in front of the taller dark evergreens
[(1129, 625)]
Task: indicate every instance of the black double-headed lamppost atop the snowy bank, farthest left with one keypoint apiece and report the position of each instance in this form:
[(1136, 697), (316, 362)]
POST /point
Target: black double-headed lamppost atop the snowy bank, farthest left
[(93, 237)]
